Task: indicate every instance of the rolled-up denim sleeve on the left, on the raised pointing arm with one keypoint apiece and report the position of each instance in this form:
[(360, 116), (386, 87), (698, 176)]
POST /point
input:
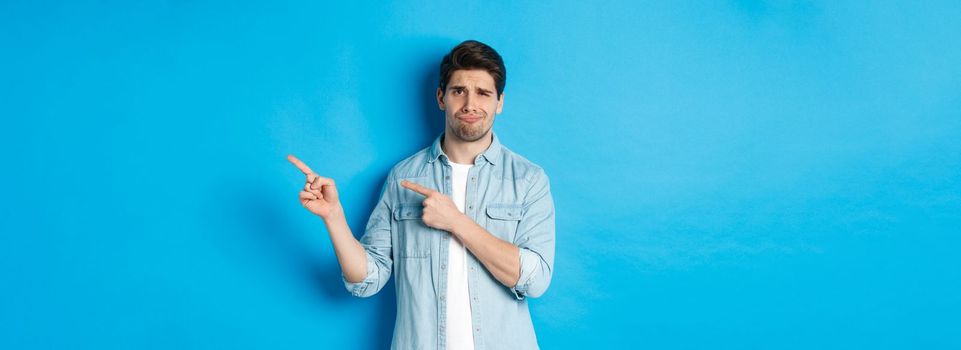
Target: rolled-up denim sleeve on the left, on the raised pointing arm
[(377, 246)]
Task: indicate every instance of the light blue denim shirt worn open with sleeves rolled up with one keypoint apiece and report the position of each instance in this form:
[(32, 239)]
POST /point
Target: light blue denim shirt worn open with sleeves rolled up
[(506, 194)]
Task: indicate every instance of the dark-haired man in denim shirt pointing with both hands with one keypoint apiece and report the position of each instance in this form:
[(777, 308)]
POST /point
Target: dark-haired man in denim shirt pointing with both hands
[(466, 225)]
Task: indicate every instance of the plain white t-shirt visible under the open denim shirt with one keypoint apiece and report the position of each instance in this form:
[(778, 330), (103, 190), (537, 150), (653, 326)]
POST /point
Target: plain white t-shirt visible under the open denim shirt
[(459, 324)]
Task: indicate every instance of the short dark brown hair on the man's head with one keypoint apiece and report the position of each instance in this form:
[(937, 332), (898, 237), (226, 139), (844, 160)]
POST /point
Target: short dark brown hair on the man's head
[(472, 54)]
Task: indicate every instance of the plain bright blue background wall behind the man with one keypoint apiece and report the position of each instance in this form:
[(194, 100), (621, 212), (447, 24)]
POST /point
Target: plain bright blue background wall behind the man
[(727, 174)]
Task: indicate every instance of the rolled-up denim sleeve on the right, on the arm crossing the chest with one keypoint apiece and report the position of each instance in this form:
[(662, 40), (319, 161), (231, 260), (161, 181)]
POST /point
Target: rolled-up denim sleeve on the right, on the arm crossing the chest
[(535, 239)]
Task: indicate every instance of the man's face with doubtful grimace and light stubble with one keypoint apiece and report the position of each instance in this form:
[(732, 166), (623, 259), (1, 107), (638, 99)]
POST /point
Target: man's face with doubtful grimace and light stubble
[(470, 104)]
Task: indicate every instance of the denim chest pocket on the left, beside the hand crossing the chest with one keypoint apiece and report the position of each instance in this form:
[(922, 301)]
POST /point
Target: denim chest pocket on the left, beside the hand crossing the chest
[(413, 236)]
